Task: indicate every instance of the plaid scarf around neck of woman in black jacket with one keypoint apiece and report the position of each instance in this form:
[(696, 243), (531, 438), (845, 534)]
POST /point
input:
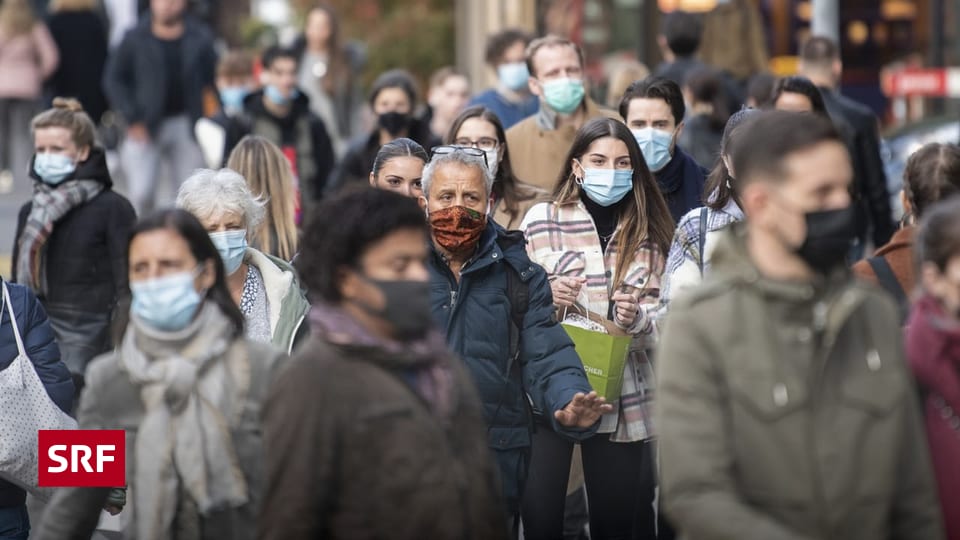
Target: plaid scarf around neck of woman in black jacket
[(49, 205)]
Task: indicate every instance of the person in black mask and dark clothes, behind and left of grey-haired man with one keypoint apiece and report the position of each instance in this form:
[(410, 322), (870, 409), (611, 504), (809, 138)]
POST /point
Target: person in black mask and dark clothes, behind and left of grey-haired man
[(393, 99)]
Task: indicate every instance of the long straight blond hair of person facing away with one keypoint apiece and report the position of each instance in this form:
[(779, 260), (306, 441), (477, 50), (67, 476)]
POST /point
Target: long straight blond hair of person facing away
[(270, 179)]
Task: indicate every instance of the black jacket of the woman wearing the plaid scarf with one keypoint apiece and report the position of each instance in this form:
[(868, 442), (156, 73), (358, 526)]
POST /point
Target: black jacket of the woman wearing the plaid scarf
[(85, 261)]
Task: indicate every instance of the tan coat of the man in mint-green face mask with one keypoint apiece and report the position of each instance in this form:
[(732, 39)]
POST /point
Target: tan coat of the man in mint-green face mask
[(537, 155)]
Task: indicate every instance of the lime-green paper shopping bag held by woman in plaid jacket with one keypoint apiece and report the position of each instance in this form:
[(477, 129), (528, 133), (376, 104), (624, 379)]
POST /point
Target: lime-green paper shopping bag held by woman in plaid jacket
[(603, 349)]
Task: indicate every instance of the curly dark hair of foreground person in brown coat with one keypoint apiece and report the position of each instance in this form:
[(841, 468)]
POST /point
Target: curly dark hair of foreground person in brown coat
[(341, 229)]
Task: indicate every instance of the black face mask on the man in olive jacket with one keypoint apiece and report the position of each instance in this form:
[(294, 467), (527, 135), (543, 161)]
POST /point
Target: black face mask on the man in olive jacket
[(830, 235)]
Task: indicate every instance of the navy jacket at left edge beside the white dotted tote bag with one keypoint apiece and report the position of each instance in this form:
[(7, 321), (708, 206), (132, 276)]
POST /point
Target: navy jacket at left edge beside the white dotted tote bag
[(41, 347)]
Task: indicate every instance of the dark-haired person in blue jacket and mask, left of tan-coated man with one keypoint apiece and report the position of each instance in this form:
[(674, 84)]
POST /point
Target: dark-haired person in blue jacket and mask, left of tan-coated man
[(510, 99)]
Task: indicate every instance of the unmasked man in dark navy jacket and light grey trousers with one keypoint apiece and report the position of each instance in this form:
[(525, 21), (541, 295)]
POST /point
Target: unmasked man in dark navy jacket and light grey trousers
[(156, 79)]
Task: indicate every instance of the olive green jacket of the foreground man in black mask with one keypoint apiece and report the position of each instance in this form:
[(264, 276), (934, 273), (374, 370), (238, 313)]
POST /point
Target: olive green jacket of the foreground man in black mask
[(785, 411)]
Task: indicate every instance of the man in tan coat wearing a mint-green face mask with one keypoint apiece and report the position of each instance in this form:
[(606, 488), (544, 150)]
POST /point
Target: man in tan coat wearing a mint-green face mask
[(540, 142)]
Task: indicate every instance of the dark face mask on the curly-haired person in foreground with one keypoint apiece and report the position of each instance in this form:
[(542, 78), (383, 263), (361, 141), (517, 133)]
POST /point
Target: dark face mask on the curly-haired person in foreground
[(407, 308)]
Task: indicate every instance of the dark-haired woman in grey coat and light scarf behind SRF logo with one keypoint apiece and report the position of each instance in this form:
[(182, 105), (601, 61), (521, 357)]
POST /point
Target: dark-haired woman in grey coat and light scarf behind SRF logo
[(187, 388)]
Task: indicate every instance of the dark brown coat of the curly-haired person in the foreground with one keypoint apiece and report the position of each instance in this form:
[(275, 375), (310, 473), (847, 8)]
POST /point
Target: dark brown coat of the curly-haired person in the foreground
[(353, 452)]
